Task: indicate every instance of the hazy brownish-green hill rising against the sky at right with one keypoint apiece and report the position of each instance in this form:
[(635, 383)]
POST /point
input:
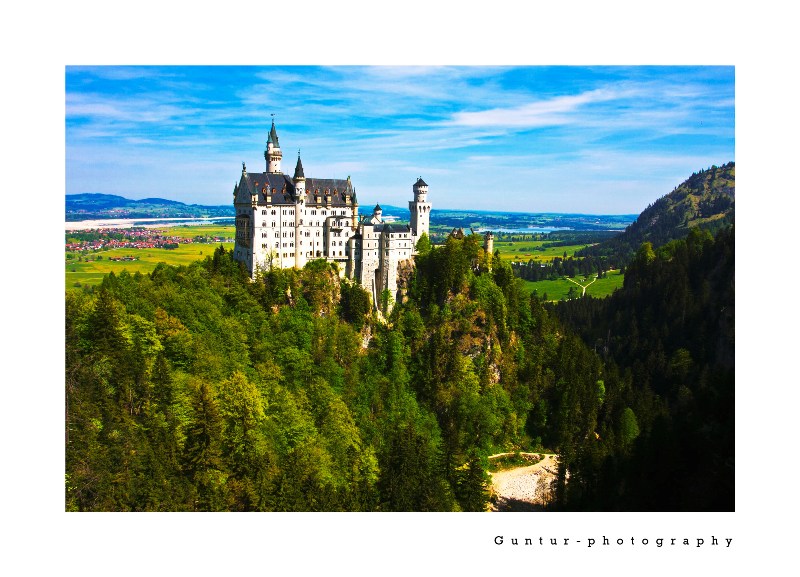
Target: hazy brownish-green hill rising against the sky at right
[(705, 200)]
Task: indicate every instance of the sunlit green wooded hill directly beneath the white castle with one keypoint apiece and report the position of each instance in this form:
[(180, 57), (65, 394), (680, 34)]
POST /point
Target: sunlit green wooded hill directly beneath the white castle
[(193, 388)]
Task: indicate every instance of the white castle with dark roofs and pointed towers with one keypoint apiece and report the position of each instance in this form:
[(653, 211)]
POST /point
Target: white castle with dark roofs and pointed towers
[(285, 222)]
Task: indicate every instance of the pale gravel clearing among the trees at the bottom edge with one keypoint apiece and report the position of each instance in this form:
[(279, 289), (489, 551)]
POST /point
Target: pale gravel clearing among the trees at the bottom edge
[(524, 488)]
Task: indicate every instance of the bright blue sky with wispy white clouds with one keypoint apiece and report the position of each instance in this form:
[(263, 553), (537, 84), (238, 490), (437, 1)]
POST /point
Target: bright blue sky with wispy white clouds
[(600, 140)]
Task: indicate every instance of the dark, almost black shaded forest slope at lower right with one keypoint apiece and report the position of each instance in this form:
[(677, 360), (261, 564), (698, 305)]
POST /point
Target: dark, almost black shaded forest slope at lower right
[(670, 329)]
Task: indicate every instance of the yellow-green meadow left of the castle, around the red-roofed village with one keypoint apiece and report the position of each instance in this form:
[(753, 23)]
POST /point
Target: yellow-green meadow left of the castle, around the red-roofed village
[(95, 265)]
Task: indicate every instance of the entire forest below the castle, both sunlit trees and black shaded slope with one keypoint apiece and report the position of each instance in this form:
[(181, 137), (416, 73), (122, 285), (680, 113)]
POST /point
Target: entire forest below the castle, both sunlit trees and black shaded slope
[(193, 388)]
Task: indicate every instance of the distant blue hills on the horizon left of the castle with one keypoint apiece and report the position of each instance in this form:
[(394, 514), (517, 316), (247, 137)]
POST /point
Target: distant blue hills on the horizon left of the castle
[(93, 206)]
